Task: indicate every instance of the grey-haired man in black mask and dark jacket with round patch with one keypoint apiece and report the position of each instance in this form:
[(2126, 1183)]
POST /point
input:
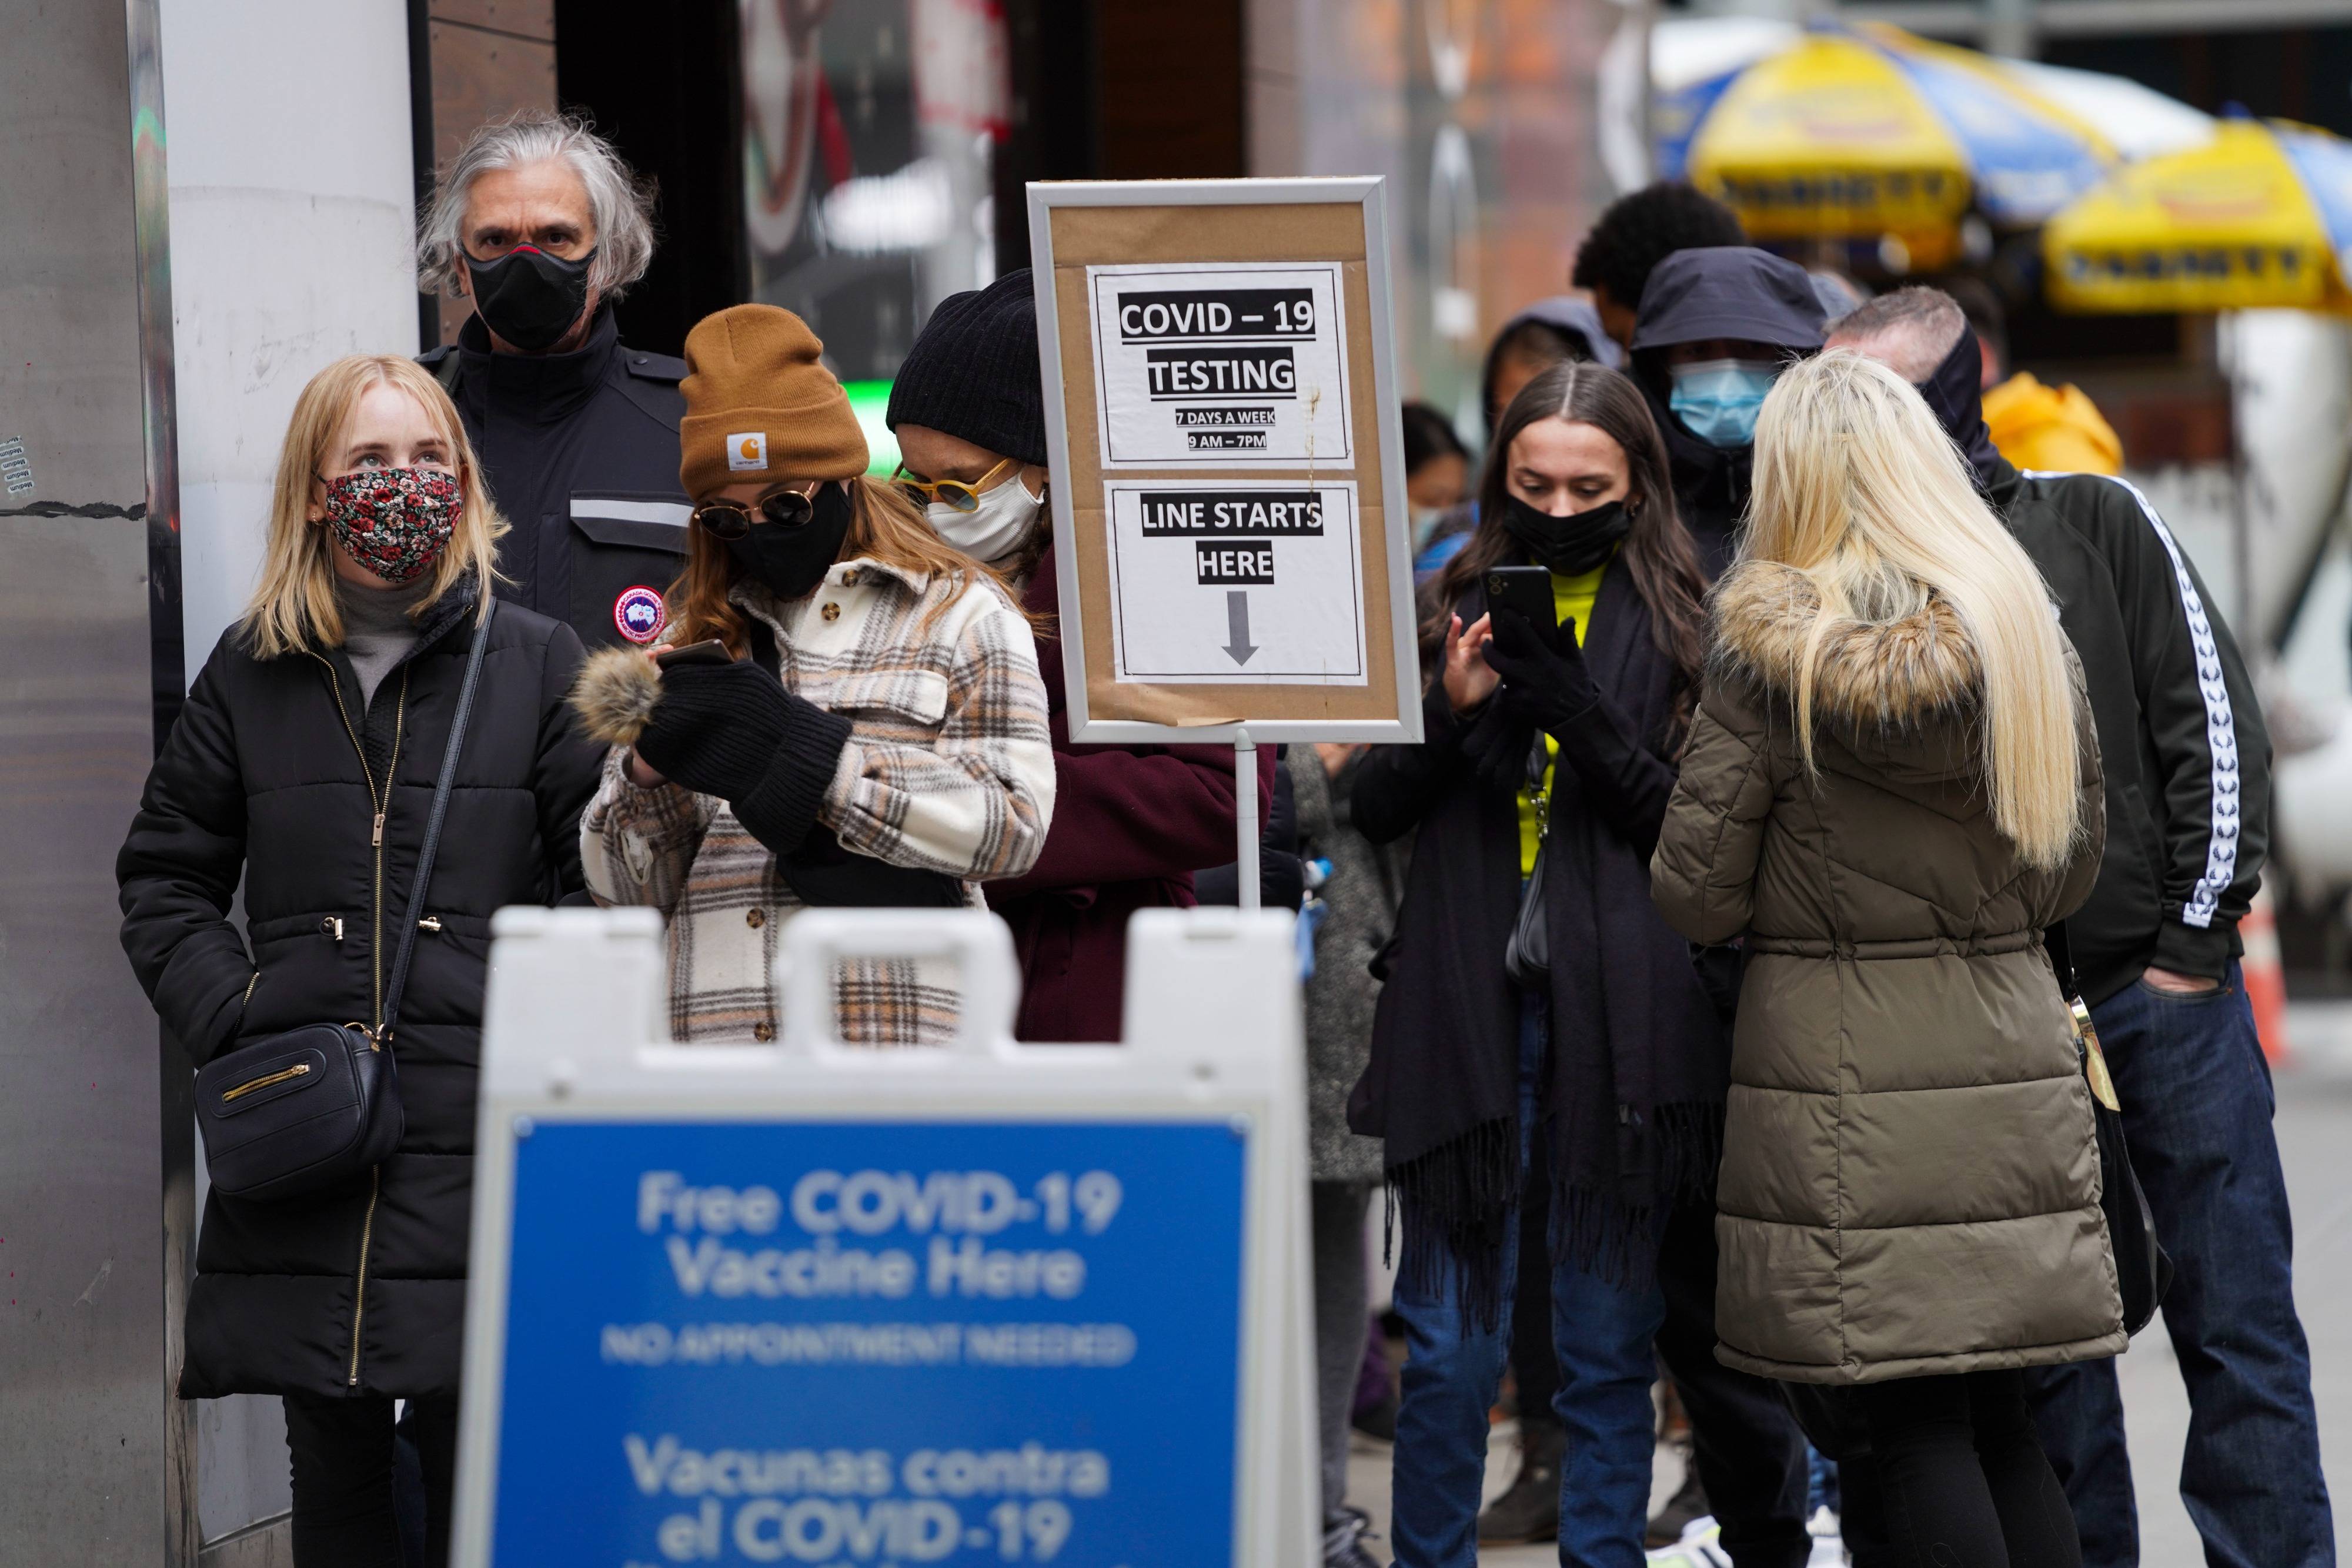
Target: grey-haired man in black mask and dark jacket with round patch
[(542, 227)]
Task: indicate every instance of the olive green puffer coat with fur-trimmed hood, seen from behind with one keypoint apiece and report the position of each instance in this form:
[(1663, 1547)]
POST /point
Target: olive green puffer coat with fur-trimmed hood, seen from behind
[(1911, 1170)]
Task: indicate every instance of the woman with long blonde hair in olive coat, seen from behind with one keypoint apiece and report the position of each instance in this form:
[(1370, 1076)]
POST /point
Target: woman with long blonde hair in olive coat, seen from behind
[(1892, 789)]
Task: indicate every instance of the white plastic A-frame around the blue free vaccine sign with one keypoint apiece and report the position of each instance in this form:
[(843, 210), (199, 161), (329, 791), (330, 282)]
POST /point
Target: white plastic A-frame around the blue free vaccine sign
[(575, 1031)]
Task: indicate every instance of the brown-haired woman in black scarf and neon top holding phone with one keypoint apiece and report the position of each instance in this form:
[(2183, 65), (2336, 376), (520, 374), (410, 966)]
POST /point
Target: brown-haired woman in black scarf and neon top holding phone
[(1612, 1059)]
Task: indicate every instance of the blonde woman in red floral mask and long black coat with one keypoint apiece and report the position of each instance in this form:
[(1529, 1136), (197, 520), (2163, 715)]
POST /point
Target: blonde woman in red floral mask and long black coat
[(305, 768)]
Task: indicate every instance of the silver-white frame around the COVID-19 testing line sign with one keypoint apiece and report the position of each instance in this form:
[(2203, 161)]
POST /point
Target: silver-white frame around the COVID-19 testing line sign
[(1379, 387)]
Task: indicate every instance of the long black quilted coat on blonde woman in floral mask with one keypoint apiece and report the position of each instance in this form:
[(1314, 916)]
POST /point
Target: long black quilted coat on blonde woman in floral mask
[(363, 1289)]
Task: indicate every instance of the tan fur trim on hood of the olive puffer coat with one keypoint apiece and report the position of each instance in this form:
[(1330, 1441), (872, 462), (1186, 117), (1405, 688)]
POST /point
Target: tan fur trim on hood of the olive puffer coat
[(1871, 678)]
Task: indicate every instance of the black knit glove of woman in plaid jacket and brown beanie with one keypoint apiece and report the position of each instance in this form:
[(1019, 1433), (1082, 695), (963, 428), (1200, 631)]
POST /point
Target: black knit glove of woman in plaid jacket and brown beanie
[(735, 732)]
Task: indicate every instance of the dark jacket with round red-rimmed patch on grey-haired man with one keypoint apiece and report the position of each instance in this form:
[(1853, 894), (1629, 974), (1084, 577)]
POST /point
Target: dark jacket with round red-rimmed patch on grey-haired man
[(580, 453)]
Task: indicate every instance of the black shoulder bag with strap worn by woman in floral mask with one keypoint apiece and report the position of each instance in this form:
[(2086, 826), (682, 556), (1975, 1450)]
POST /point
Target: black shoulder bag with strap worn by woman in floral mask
[(316, 1106)]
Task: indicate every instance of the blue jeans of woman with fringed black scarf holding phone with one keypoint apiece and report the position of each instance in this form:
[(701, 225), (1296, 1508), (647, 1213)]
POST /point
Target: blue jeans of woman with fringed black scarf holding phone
[(1455, 1369)]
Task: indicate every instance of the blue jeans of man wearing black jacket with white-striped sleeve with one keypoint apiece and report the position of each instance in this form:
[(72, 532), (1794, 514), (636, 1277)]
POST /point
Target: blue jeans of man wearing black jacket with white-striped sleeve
[(2198, 1111)]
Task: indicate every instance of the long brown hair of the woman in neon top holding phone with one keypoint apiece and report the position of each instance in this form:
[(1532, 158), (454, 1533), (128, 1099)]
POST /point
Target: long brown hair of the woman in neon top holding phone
[(1657, 551)]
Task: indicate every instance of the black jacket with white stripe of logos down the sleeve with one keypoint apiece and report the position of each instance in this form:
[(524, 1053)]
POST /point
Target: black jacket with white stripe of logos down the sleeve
[(2179, 730)]
